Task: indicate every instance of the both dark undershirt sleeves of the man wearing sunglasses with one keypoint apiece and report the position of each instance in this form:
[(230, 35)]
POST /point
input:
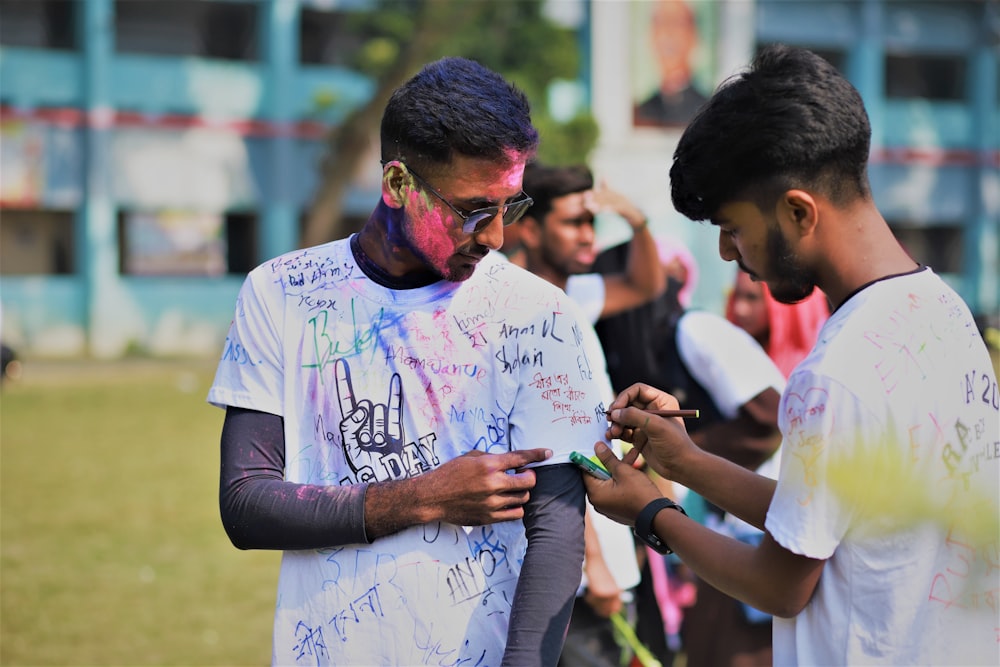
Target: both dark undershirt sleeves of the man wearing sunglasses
[(260, 510)]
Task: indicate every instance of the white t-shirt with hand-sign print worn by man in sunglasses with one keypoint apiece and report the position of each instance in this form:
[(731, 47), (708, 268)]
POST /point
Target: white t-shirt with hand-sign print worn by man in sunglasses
[(377, 384)]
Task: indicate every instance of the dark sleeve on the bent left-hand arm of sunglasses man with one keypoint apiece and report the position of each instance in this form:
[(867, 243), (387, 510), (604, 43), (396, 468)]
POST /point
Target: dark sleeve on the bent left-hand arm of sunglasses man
[(260, 510)]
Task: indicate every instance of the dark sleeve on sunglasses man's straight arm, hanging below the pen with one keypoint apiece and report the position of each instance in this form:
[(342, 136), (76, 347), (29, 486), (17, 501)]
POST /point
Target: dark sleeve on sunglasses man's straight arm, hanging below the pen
[(552, 569)]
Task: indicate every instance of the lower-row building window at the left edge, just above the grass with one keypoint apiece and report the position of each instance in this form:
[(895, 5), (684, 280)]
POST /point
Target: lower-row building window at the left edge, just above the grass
[(36, 242)]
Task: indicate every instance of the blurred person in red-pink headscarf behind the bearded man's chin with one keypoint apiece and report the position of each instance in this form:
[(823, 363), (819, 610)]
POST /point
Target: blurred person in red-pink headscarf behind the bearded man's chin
[(787, 331)]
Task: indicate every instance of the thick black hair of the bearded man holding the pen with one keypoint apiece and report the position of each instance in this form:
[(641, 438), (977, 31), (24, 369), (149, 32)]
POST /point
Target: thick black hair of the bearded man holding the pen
[(790, 120)]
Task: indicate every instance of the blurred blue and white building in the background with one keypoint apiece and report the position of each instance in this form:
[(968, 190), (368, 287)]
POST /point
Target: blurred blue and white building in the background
[(152, 152)]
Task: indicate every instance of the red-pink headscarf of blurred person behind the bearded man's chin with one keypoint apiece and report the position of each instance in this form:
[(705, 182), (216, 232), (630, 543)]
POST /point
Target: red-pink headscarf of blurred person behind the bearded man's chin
[(794, 327)]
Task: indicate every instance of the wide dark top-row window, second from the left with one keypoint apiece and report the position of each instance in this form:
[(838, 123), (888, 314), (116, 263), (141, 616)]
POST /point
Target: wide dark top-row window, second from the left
[(223, 30)]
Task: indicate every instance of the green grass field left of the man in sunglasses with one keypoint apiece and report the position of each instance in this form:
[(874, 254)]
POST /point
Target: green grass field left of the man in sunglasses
[(111, 548)]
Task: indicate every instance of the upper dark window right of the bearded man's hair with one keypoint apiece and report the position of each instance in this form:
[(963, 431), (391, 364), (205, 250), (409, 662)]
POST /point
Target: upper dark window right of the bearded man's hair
[(929, 77)]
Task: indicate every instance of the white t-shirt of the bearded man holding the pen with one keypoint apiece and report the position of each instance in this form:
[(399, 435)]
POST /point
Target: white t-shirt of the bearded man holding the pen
[(891, 442)]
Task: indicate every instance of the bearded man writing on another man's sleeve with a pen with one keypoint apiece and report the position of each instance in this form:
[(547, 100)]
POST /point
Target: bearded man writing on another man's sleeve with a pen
[(895, 398)]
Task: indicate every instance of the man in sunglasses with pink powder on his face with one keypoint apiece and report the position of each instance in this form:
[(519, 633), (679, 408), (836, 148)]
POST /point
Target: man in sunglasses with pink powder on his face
[(385, 393)]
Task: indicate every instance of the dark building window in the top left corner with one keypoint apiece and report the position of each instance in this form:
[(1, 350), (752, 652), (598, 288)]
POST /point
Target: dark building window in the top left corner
[(38, 24)]
